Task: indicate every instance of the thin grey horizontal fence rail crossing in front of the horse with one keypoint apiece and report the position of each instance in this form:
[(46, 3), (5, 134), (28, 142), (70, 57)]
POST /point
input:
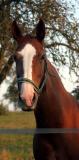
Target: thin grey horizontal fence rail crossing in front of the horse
[(39, 131)]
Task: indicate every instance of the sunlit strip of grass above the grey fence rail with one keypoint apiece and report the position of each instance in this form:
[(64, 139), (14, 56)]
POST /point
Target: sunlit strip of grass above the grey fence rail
[(17, 120)]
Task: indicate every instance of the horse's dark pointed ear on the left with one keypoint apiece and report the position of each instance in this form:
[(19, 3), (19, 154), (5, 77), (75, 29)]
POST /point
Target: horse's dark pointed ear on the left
[(16, 31)]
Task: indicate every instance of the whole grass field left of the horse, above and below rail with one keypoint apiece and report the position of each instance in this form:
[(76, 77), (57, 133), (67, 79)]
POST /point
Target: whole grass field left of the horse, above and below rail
[(16, 147)]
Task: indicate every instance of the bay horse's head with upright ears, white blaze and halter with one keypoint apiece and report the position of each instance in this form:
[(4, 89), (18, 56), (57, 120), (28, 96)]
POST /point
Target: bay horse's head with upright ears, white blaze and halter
[(30, 63)]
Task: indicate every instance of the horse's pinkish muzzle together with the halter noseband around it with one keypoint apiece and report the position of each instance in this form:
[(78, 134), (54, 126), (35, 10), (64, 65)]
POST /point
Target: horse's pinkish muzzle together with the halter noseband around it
[(29, 92)]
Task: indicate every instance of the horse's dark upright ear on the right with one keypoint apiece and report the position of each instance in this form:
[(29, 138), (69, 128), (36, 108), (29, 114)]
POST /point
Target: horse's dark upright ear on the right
[(40, 30)]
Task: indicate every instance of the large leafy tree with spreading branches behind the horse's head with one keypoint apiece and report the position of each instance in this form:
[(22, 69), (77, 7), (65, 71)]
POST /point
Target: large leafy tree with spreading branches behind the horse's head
[(62, 31)]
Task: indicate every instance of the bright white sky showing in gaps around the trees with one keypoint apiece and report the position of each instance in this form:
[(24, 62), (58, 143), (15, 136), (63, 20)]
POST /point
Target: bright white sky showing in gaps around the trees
[(68, 81)]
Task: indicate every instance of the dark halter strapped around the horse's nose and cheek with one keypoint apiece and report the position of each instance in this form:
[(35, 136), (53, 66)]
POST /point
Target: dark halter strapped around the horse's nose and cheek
[(43, 81)]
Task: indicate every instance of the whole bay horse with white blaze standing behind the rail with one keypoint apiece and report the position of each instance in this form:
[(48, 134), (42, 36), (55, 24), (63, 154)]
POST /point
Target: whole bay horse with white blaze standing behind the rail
[(40, 87)]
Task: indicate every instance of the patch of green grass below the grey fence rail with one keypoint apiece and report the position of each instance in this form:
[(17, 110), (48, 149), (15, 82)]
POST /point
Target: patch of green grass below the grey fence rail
[(16, 147)]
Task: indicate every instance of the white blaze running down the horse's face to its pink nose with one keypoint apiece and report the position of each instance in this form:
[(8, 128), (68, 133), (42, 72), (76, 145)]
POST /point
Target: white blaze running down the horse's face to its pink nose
[(27, 91)]
